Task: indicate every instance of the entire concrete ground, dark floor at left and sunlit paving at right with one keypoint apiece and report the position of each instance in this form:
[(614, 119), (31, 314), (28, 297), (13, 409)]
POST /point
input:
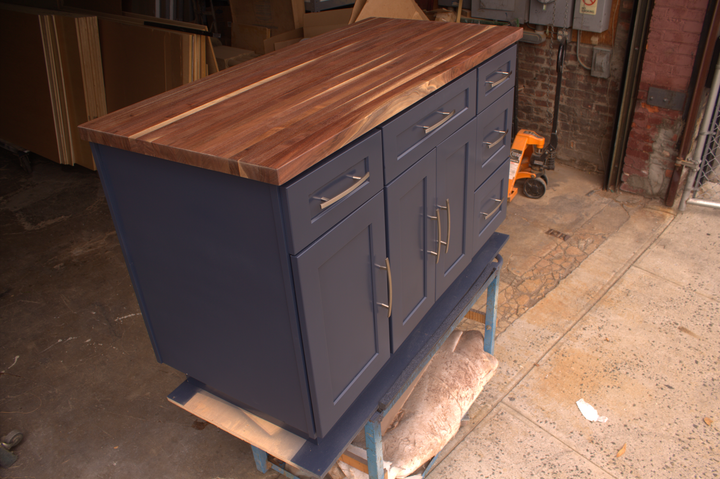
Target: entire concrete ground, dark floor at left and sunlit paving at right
[(620, 306)]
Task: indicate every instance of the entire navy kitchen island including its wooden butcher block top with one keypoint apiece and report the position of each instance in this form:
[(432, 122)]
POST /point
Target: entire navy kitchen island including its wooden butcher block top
[(289, 223)]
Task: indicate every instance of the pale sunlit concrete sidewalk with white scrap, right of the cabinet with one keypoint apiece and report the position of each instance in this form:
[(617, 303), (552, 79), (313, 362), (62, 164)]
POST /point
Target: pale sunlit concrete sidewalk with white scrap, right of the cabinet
[(634, 331)]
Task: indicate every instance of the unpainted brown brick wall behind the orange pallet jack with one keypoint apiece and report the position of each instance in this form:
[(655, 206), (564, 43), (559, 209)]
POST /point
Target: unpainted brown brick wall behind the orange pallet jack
[(587, 105)]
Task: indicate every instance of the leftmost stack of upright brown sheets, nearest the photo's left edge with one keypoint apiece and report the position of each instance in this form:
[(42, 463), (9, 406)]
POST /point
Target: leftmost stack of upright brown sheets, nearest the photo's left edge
[(54, 82)]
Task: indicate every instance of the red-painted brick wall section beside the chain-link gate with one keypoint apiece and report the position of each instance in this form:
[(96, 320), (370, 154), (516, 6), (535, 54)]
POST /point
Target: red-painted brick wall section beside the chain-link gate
[(673, 39)]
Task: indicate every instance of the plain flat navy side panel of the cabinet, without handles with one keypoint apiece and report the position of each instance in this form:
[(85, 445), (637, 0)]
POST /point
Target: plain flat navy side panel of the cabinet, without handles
[(204, 253)]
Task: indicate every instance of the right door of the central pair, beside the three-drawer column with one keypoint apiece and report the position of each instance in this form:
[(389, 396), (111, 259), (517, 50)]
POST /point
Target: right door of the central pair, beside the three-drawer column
[(455, 174)]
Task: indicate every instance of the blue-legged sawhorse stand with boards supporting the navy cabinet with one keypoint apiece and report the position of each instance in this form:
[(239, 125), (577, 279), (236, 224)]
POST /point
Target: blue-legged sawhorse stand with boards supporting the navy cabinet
[(377, 400)]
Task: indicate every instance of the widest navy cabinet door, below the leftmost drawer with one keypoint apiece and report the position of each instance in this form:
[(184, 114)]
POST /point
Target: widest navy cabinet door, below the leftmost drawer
[(340, 283)]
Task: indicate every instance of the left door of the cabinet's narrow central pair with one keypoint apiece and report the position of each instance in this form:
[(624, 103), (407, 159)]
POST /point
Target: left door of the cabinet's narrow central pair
[(413, 244)]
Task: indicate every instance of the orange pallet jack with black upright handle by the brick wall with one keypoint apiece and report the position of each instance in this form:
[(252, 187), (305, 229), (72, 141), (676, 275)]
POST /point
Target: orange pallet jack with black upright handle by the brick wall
[(528, 158)]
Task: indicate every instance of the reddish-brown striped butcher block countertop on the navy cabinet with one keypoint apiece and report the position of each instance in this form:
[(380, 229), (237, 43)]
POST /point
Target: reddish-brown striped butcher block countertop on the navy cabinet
[(274, 117)]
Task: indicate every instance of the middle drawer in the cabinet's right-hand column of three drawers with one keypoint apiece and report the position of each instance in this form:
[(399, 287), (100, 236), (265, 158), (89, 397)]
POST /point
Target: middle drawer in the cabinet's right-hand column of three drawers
[(494, 137)]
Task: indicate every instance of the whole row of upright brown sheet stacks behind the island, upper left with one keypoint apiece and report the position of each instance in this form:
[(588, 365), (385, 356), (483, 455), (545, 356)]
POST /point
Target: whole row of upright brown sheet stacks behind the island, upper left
[(65, 68)]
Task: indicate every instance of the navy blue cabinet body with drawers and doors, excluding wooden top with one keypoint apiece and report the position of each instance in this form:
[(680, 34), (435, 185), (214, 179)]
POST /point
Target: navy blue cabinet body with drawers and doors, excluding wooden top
[(287, 300)]
